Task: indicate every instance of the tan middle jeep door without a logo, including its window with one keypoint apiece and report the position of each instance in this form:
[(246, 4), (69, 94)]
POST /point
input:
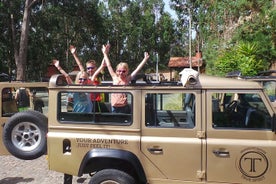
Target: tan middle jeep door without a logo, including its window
[(170, 139)]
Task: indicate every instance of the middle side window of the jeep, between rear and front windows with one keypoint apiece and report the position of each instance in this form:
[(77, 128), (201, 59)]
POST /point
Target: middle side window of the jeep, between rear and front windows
[(170, 110)]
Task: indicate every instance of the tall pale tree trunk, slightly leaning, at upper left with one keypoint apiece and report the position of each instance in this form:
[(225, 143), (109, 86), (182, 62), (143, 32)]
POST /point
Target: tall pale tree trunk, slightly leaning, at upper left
[(21, 60)]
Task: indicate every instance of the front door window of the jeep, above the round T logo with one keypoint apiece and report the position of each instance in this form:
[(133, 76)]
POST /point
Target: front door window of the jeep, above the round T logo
[(240, 110)]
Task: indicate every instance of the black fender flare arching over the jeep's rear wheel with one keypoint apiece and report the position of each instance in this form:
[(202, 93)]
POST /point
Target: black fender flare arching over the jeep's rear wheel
[(123, 155)]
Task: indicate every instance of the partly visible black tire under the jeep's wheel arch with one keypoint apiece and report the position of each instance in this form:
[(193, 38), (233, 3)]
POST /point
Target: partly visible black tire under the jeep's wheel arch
[(111, 176)]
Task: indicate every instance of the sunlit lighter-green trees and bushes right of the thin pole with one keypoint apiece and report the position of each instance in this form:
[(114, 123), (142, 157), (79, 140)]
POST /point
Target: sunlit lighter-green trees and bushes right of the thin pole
[(225, 25)]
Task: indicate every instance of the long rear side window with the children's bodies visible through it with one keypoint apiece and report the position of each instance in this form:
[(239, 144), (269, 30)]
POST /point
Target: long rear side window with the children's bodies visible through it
[(93, 108)]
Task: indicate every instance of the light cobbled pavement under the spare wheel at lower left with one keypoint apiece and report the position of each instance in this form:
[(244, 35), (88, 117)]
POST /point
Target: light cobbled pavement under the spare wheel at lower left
[(16, 171)]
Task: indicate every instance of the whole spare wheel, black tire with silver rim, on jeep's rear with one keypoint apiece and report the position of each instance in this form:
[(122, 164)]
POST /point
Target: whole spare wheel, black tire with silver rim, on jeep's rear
[(24, 135)]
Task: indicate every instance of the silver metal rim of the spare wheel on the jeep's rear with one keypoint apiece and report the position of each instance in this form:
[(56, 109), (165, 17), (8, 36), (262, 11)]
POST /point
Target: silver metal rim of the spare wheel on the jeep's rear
[(26, 136)]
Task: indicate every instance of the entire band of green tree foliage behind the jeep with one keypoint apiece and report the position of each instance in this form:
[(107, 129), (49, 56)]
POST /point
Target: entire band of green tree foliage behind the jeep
[(233, 35)]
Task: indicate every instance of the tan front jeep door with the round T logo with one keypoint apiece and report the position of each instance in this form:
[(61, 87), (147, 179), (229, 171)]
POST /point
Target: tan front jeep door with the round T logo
[(240, 144)]
